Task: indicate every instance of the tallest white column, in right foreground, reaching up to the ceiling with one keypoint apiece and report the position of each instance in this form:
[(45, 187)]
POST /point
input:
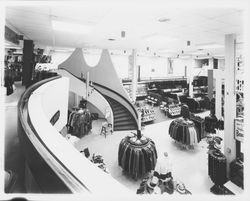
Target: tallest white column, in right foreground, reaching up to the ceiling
[(230, 99)]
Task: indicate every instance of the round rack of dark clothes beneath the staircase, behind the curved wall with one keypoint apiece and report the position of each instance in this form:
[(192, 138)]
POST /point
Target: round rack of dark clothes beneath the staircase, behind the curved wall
[(79, 122)]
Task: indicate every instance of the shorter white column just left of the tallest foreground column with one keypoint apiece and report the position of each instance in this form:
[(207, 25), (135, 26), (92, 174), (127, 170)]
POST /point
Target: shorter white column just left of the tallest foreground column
[(218, 93)]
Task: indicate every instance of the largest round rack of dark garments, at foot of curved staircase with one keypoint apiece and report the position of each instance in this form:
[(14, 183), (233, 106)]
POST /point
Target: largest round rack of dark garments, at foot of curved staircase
[(136, 155)]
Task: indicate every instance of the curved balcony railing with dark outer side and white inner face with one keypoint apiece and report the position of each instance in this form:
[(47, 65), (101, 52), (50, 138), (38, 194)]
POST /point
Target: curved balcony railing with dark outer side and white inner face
[(56, 165)]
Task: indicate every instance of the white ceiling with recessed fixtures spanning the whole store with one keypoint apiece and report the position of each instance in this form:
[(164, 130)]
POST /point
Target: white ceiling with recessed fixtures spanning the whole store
[(140, 23)]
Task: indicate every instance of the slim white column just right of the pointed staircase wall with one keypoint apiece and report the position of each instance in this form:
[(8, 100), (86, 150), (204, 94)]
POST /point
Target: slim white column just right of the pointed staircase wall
[(134, 71)]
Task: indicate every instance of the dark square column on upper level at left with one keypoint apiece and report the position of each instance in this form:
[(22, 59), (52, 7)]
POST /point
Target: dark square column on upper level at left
[(28, 62)]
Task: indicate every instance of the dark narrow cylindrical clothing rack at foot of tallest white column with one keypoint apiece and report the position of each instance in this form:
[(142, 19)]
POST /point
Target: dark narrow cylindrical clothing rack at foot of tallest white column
[(217, 167)]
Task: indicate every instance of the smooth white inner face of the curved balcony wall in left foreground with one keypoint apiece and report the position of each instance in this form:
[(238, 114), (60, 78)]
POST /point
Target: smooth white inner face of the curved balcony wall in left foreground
[(97, 181)]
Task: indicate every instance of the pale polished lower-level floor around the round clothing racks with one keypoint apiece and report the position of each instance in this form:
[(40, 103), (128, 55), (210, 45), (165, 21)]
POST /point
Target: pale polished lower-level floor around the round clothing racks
[(189, 166)]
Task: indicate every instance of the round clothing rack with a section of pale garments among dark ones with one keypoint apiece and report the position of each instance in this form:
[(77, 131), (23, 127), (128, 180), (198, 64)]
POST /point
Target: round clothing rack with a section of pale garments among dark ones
[(184, 131)]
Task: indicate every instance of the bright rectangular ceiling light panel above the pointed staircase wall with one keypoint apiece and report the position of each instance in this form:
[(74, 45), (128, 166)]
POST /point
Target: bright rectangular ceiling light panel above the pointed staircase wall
[(71, 27)]
